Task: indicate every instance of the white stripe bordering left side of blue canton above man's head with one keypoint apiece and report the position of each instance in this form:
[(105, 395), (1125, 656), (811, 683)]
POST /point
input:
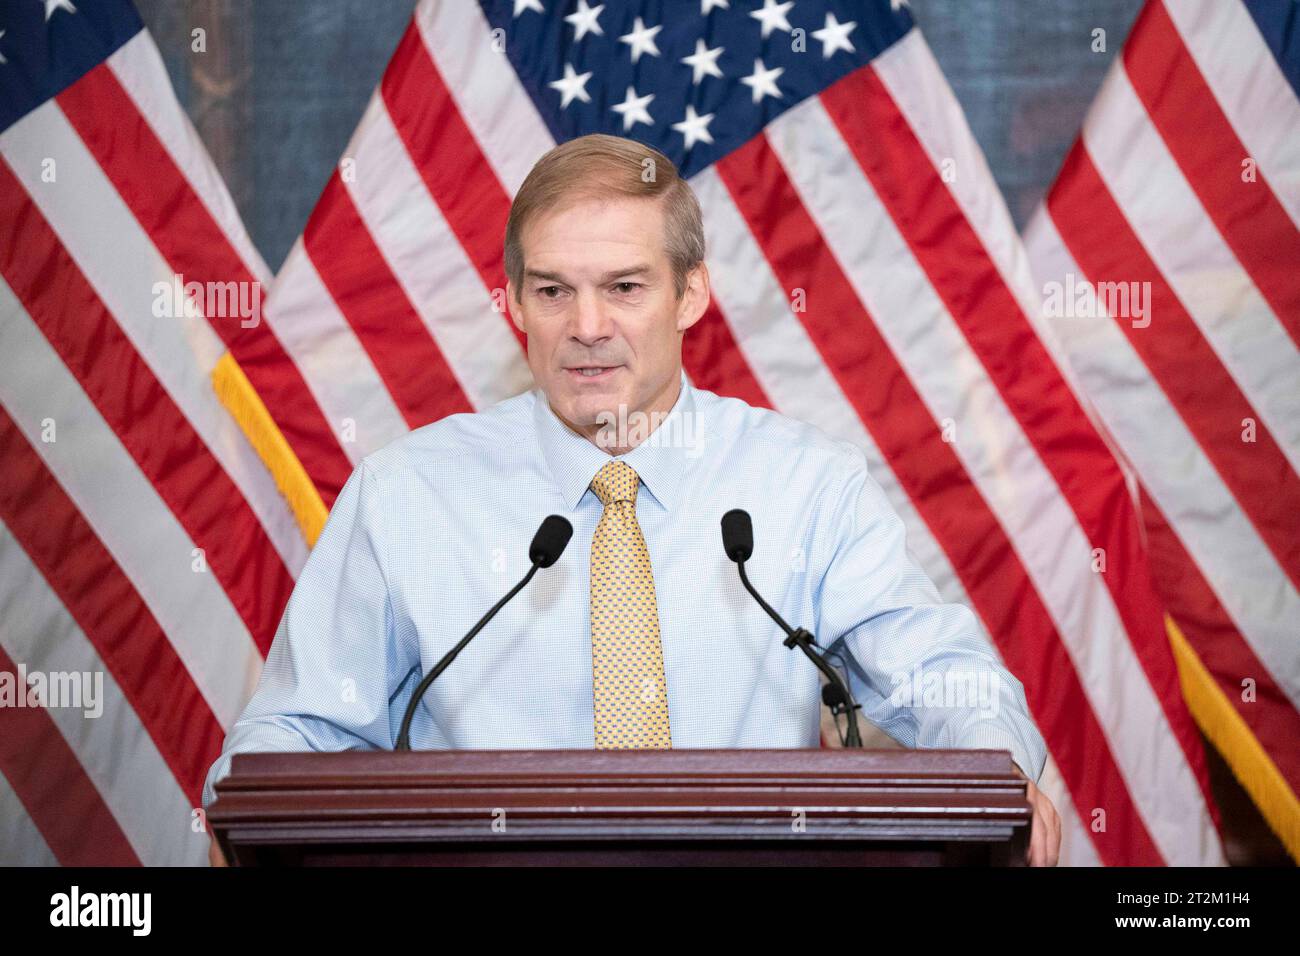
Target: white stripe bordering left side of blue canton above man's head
[(492, 102)]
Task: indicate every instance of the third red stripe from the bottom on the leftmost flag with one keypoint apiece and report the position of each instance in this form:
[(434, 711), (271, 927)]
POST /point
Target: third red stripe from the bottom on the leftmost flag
[(138, 409)]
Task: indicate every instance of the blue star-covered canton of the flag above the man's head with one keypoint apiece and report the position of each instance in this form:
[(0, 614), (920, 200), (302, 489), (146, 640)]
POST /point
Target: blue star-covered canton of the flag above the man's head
[(694, 79)]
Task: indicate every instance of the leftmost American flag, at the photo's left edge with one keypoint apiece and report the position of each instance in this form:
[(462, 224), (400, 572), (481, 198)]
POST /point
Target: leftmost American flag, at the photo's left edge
[(141, 537)]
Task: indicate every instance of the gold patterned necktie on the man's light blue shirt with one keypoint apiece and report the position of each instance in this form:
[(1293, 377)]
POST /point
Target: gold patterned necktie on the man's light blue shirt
[(630, 690)]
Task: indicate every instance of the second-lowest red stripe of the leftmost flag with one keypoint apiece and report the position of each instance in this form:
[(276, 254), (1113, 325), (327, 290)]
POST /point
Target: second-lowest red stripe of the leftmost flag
[(110, 612)]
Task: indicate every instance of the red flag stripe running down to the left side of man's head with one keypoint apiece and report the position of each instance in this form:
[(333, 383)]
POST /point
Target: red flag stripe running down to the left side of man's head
[(449, 161)]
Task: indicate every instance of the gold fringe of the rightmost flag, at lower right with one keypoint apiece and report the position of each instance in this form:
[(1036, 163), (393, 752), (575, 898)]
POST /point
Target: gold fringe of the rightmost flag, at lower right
[(1251, 764)]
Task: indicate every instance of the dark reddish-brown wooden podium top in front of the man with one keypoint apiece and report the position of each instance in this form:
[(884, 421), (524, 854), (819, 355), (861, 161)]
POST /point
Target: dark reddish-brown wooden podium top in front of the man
[(456, 808)]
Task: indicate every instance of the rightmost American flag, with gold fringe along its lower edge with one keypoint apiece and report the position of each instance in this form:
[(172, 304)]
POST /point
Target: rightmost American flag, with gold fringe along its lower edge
[(1185, 189)]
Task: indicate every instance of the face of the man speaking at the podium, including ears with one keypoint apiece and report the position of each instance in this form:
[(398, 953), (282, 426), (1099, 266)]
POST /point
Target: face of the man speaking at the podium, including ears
[(600, 309)]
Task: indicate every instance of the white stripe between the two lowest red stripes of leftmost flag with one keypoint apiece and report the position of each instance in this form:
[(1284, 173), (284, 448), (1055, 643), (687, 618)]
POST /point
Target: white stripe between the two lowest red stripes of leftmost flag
[(114, 749)]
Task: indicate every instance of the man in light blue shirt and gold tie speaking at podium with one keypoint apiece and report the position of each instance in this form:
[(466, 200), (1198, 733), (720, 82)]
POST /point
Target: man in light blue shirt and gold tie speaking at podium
[(643, 634)]
